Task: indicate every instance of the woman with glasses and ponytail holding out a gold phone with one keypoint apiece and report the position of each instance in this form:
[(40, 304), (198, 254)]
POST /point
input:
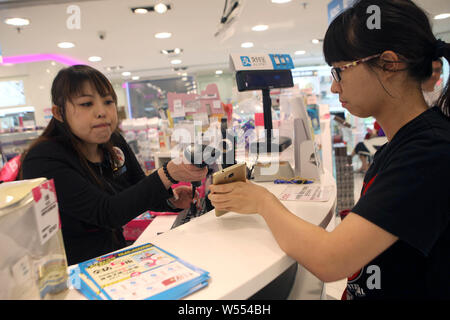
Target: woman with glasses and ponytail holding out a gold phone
[(396, 241)]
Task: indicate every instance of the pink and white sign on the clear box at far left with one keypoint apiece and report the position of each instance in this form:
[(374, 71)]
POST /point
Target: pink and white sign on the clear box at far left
[(46, 210)]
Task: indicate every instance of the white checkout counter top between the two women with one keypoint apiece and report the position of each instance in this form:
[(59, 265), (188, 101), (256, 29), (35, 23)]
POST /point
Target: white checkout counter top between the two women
[(241, 254)]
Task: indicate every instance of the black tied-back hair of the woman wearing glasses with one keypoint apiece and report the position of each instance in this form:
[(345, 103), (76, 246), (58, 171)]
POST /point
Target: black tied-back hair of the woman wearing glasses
[(405, 29)]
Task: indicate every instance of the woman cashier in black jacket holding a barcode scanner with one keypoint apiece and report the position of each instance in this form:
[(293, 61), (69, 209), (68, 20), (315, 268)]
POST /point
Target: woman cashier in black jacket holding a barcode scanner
[(99, 184)]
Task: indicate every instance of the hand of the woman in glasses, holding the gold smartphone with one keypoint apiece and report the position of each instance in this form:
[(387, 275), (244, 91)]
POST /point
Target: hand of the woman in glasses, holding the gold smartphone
[(241, 197)]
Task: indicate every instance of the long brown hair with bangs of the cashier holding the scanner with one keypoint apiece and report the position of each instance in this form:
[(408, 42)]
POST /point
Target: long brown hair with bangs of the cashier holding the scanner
[(68, 84)]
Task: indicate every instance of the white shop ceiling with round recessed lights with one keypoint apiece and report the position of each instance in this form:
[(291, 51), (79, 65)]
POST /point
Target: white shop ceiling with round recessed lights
[(129, 39)]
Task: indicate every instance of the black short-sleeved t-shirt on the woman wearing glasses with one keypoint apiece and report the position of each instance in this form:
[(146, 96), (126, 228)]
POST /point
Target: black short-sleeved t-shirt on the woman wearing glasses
[(407, 193)]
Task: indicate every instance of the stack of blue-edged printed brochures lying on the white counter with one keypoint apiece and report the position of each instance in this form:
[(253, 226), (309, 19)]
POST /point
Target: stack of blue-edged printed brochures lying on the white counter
[(146, 272)]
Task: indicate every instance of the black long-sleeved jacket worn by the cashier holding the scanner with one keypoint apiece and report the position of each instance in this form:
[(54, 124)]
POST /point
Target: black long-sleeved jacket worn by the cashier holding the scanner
[(91, 215)]
